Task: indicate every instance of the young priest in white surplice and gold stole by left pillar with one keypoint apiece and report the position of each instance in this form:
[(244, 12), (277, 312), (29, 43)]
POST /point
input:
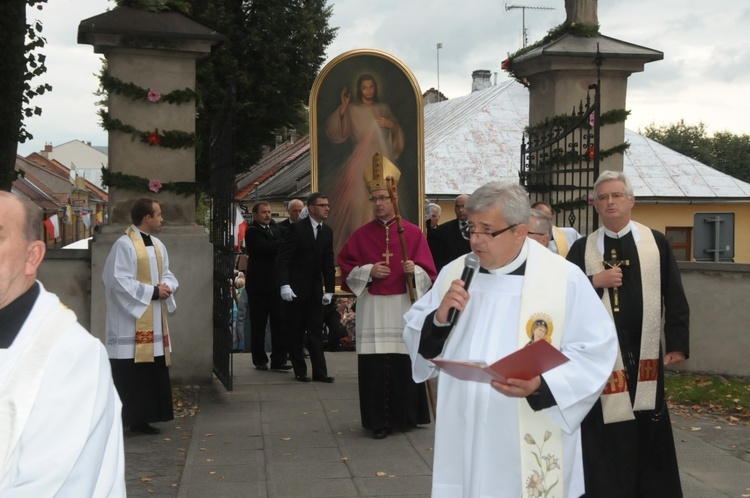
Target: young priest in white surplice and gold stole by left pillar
[(139, 289)]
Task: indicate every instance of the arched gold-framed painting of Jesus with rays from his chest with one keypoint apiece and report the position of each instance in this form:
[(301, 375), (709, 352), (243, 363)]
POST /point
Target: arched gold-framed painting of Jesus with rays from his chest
[(365, 102)]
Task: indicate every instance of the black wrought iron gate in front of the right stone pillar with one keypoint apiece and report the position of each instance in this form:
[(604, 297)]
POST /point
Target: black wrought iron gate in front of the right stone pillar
[(560, 163)]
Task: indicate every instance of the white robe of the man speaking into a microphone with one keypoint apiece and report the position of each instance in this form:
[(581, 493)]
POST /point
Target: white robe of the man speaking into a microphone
[(477, 441)]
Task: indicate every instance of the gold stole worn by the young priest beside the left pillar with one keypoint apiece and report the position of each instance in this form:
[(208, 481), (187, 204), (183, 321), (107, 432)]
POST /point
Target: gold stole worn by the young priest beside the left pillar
[(144, 326)]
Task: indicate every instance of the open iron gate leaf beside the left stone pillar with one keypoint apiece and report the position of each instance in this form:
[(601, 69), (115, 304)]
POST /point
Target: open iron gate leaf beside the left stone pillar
[(221, 157)]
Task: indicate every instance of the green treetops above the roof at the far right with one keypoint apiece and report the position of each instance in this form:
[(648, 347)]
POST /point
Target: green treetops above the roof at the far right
[(724, 151)]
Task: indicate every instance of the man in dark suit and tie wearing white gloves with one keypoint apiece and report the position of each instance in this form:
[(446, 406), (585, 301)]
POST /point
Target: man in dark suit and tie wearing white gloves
[(305, 263)]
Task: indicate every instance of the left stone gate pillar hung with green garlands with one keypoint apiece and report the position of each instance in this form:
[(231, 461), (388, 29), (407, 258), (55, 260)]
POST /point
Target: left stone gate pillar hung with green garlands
[(157, 51)]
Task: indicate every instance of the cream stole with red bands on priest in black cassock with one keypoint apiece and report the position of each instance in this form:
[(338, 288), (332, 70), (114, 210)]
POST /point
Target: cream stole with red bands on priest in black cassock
[(615, 398)]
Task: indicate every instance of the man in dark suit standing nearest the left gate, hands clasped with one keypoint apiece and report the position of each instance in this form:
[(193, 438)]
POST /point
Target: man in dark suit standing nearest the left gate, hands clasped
[(262, 242)]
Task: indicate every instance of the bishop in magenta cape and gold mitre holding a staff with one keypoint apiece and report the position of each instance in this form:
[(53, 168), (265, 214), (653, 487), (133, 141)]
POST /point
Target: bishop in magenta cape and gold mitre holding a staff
[(374, 269)]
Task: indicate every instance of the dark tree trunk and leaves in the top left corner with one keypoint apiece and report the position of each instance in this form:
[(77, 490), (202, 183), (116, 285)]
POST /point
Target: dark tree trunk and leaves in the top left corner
[(20, 63)]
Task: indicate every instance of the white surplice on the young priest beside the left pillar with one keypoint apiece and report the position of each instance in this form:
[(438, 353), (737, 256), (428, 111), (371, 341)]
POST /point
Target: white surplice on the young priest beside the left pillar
[(127, 298)]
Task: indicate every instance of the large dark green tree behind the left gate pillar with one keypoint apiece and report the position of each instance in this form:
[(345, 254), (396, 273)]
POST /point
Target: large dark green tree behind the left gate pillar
[(271, 58)]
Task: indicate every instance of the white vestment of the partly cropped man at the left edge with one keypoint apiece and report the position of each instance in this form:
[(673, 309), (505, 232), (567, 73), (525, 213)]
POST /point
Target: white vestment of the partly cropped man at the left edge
[(60, 423)]
